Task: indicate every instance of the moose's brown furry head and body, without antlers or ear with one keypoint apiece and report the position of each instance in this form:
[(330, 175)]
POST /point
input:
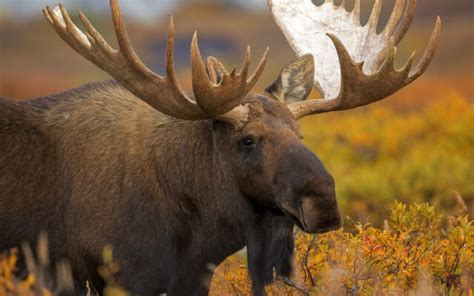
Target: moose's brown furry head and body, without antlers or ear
[(97, 166)]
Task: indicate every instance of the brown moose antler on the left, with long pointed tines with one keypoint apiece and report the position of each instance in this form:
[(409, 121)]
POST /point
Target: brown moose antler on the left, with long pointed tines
[(162, 93)]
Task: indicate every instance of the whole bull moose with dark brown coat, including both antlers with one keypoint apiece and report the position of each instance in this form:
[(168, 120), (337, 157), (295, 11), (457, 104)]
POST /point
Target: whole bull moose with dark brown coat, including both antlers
[(177, 181)]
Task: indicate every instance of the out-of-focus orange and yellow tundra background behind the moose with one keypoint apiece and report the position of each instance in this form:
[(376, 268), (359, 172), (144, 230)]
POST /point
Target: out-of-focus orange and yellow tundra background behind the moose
[(417, 146)]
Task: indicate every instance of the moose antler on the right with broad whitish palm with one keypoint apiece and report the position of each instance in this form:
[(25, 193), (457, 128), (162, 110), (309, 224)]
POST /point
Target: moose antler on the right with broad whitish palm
[(354, 64)]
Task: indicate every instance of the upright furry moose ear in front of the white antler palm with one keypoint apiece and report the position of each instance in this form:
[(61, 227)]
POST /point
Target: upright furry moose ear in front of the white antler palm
[(295, 80)]
